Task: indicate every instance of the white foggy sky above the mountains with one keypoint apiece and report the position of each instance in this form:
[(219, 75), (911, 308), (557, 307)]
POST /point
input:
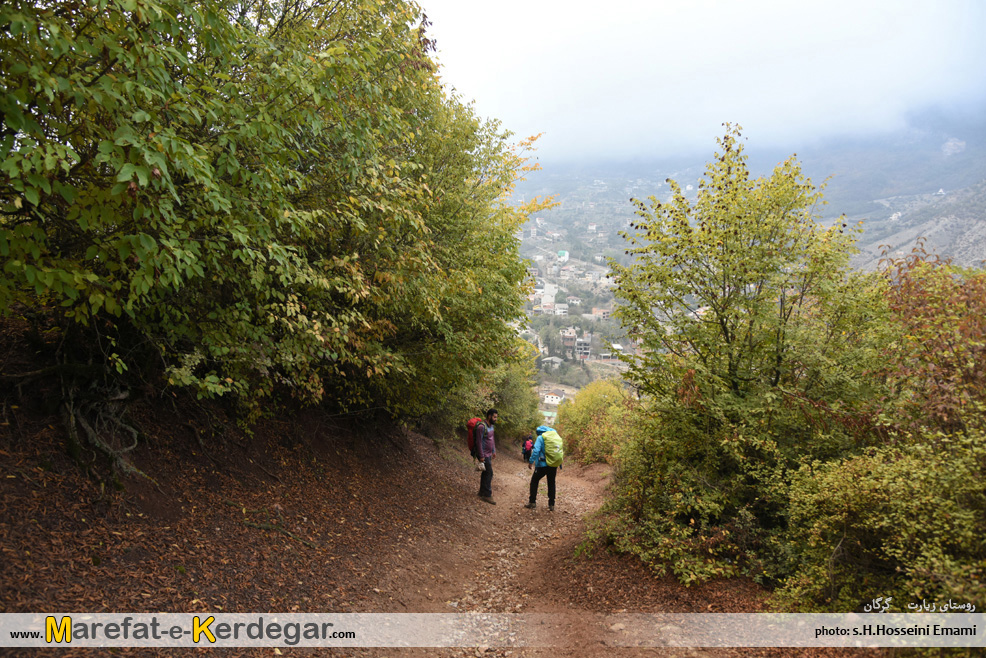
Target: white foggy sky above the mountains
[(621, 78)]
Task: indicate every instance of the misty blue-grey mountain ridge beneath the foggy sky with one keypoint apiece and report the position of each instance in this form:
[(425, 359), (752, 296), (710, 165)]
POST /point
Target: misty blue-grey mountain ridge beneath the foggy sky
[(891, 182)]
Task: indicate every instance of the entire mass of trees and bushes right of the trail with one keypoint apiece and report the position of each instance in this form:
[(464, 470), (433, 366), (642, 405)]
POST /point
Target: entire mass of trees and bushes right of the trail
[(799, 423)]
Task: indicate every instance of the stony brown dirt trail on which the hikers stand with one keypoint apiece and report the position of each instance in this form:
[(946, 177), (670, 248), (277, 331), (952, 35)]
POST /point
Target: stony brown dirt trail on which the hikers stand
[(505, 558)]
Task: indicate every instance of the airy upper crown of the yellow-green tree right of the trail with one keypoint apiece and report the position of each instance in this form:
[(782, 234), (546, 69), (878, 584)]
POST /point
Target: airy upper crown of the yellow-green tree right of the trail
[(730, 285)]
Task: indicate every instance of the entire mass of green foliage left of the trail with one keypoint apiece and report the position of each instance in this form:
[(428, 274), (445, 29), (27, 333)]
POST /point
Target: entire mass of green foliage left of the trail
[(272, 201)]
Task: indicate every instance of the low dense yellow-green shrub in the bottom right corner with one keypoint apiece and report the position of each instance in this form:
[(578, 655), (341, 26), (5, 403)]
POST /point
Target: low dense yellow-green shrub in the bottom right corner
[(907, 522)]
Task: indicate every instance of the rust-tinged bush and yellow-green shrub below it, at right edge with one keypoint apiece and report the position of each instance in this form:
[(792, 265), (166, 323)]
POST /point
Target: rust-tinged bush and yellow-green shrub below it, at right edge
[(908, 517)]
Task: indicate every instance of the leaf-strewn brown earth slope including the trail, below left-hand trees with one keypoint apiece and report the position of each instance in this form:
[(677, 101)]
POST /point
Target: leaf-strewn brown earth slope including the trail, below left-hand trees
[(310, 514)]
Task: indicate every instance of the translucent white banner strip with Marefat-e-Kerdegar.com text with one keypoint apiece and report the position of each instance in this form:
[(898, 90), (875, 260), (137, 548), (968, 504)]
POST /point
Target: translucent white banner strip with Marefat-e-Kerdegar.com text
[(489, 630)]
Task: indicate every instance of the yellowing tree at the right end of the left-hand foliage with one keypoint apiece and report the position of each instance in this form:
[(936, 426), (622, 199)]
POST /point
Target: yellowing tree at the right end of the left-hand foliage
[(458, 310)]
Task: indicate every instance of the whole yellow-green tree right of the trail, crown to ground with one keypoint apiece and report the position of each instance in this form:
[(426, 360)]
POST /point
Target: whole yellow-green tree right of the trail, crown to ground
[(754, 335)]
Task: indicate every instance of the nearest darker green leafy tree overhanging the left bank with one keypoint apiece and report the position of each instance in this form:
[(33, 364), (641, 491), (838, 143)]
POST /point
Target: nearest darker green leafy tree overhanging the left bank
[(160, 163)]
